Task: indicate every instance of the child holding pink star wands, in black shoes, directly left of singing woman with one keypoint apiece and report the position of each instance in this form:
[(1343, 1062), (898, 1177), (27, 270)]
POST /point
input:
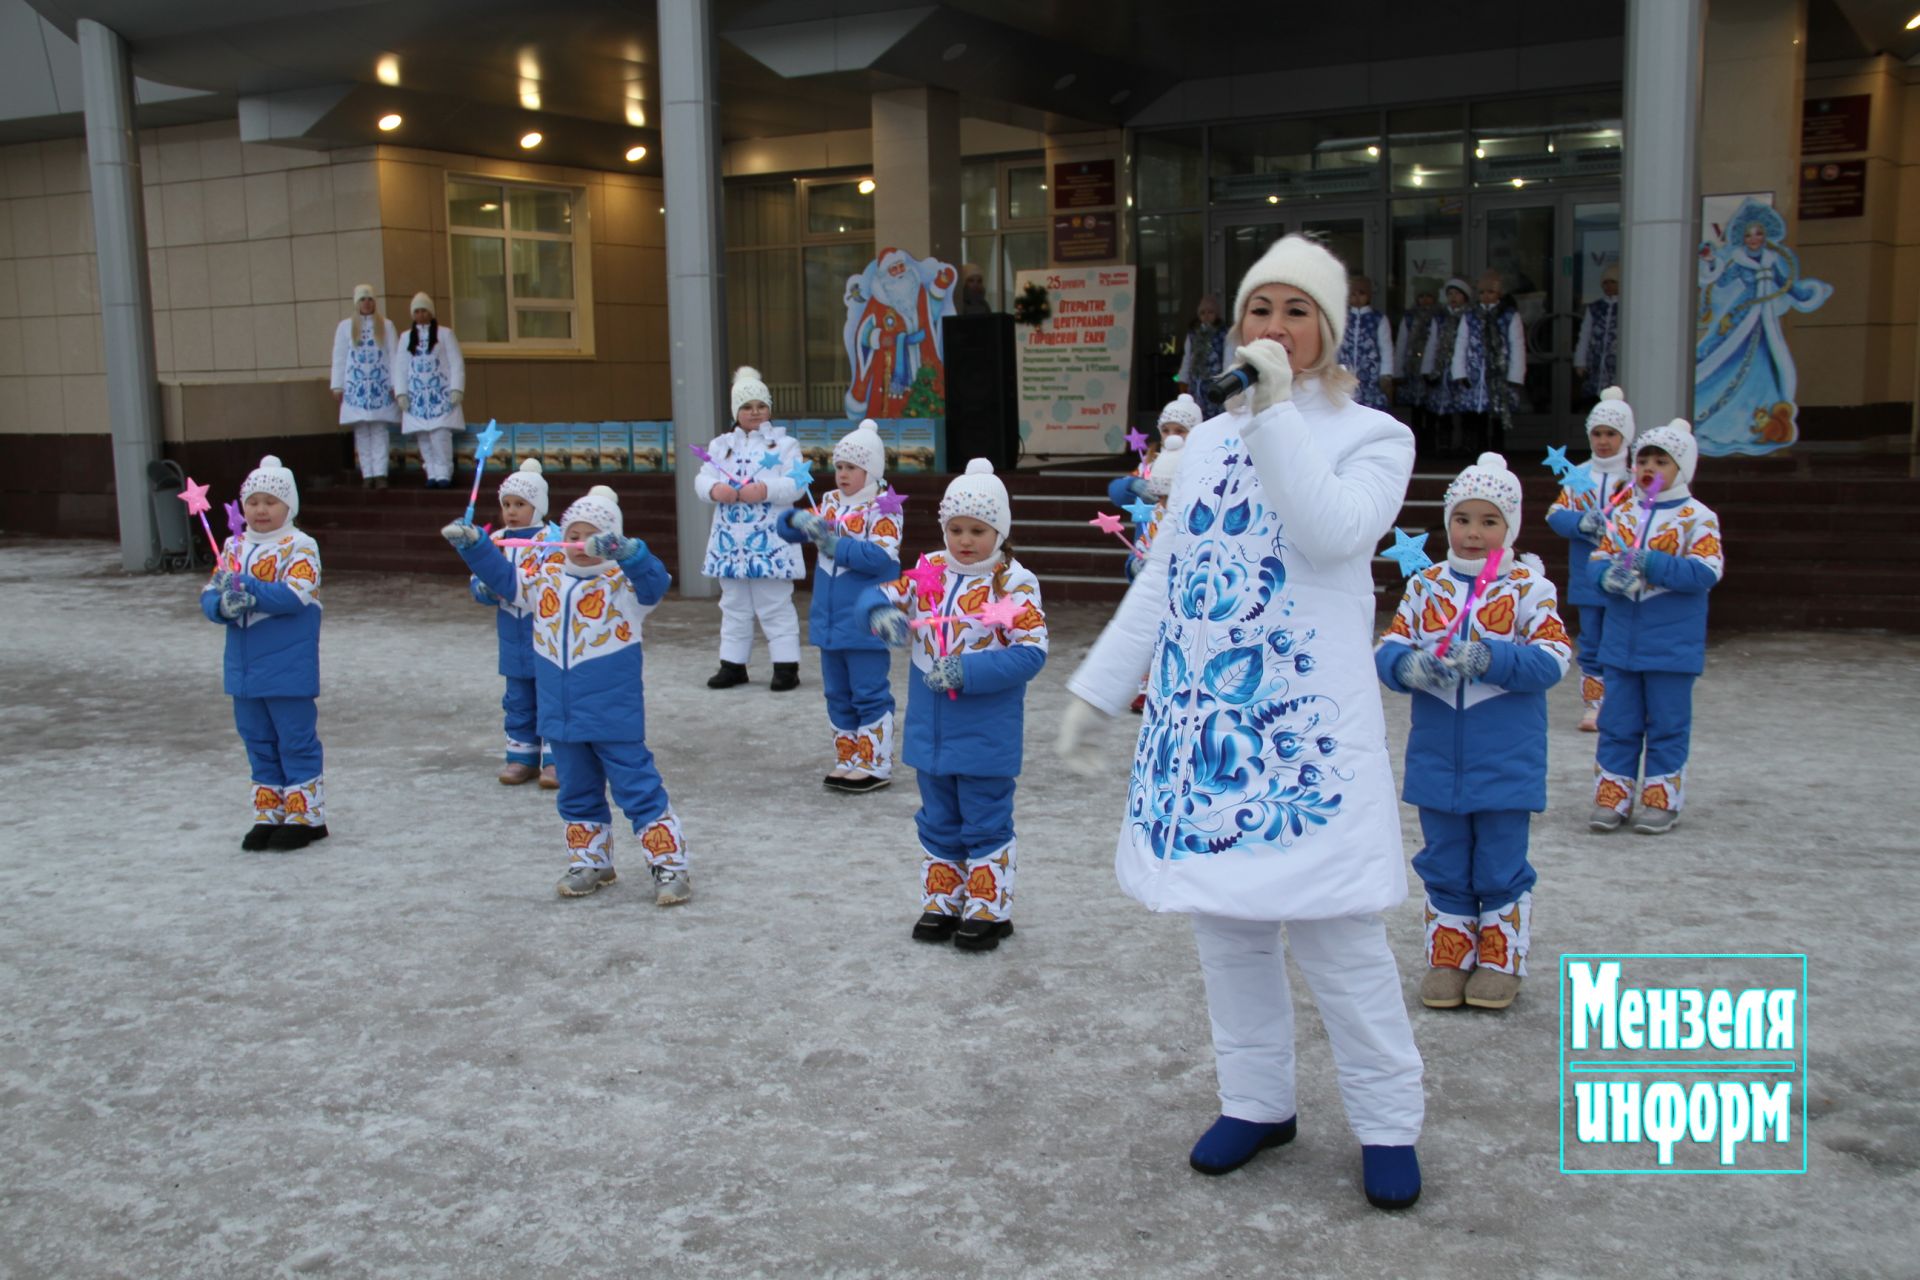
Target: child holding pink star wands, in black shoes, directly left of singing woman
[(967, 707)]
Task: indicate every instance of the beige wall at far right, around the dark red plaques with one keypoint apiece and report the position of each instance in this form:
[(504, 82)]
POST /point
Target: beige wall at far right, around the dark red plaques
[(1860, 348)]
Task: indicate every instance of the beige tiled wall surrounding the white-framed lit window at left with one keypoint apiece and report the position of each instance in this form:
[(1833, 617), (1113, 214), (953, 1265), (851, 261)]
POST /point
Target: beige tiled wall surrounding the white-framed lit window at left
[(627, 379)]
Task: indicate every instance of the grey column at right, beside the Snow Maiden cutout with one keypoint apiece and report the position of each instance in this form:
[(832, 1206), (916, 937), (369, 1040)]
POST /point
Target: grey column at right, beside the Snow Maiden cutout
[(1660, 206)]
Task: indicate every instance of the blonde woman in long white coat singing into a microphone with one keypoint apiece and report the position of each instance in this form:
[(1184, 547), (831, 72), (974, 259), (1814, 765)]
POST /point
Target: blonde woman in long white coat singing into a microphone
[(1260, 790)]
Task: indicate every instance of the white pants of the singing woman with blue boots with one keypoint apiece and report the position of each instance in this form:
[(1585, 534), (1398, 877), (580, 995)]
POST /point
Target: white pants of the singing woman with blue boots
[(1356, 985)]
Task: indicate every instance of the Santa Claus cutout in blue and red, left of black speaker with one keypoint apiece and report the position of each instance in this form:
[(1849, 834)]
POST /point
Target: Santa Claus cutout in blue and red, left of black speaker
[(894, 333)]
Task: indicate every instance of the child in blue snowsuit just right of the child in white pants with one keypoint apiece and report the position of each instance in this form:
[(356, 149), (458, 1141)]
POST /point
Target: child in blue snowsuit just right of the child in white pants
[(859, 548)]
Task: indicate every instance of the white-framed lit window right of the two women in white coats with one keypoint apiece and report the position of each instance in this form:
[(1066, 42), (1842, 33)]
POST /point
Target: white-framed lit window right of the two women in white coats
[(519, 268)]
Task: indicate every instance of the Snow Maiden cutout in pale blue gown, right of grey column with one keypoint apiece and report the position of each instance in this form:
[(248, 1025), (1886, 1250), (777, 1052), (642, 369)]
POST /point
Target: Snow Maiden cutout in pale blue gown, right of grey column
[(1742, 367)]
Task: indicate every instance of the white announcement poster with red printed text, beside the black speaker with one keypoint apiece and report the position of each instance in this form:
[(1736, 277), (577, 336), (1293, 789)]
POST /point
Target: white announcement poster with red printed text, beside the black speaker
[(1074, 367)]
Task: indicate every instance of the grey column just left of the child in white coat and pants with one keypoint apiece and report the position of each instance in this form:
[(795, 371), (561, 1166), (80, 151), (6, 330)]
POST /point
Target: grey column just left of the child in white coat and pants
[(696, 285)]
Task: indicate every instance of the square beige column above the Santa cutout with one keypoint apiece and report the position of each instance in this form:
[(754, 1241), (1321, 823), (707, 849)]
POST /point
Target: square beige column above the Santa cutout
[(917, 172)]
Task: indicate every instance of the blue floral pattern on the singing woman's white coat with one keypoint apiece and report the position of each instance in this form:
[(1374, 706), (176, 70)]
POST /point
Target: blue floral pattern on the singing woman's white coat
[(1237, 749)]
